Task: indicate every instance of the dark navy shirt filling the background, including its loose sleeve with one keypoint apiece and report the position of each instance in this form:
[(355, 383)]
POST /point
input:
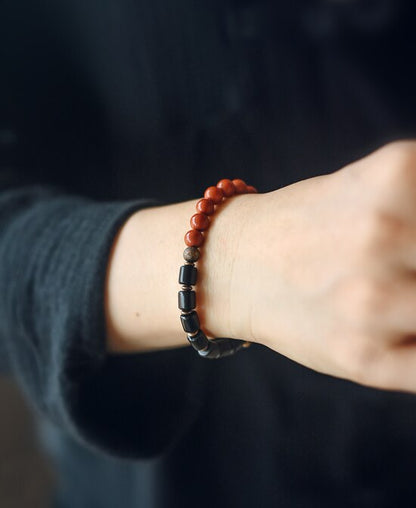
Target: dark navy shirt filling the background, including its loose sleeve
[(108, 106)]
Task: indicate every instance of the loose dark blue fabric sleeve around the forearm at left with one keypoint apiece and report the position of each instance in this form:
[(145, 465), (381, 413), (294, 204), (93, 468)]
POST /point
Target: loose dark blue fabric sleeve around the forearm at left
[(53, 258)]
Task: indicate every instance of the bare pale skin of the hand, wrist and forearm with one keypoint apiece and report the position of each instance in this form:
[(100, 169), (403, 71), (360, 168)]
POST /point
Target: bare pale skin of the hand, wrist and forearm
[(322, 271)]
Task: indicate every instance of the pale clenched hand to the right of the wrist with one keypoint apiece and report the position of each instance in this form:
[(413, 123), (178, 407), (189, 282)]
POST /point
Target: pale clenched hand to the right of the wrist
[(325, 270)]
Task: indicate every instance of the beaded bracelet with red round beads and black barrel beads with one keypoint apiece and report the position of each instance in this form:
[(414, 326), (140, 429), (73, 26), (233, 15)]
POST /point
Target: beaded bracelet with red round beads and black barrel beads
[(213, 196)]
